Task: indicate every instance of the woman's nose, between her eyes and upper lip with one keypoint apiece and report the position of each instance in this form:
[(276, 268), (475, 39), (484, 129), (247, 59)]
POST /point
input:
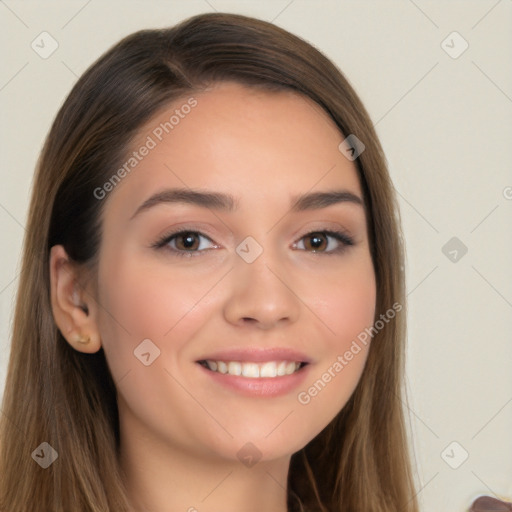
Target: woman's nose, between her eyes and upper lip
[(262, 294)]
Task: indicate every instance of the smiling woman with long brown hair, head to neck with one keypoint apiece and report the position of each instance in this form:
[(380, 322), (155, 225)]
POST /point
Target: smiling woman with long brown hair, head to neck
[(211, 309)]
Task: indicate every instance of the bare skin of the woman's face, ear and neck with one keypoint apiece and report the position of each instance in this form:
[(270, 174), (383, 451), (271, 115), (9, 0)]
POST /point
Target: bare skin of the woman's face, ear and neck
[(182, 429)]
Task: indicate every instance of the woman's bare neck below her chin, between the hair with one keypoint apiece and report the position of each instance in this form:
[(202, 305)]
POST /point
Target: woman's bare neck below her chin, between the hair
[(162, 477)]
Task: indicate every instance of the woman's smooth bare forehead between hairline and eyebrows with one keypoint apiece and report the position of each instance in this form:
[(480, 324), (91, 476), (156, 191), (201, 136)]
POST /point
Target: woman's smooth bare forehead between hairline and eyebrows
[(252, 143)]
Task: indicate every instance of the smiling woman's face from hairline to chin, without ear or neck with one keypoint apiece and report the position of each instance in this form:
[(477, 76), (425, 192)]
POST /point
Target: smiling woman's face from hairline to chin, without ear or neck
[(252, 278)]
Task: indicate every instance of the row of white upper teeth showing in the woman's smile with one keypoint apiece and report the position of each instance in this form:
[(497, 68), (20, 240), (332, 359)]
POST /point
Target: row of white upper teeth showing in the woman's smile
[(253, 370)]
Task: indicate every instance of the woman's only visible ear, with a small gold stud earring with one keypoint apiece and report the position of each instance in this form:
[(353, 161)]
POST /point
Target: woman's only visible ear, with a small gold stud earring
[(74, 306)]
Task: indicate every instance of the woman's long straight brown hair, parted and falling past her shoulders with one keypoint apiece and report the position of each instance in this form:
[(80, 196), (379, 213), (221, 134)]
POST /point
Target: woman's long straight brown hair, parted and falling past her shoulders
[(55, 394)]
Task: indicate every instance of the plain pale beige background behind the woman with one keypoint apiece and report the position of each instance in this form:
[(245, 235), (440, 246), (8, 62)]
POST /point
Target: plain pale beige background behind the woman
[(446, 126)]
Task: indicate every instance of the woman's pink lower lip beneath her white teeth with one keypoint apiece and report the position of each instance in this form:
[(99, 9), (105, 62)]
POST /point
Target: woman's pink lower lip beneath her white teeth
[(262, 386)]
